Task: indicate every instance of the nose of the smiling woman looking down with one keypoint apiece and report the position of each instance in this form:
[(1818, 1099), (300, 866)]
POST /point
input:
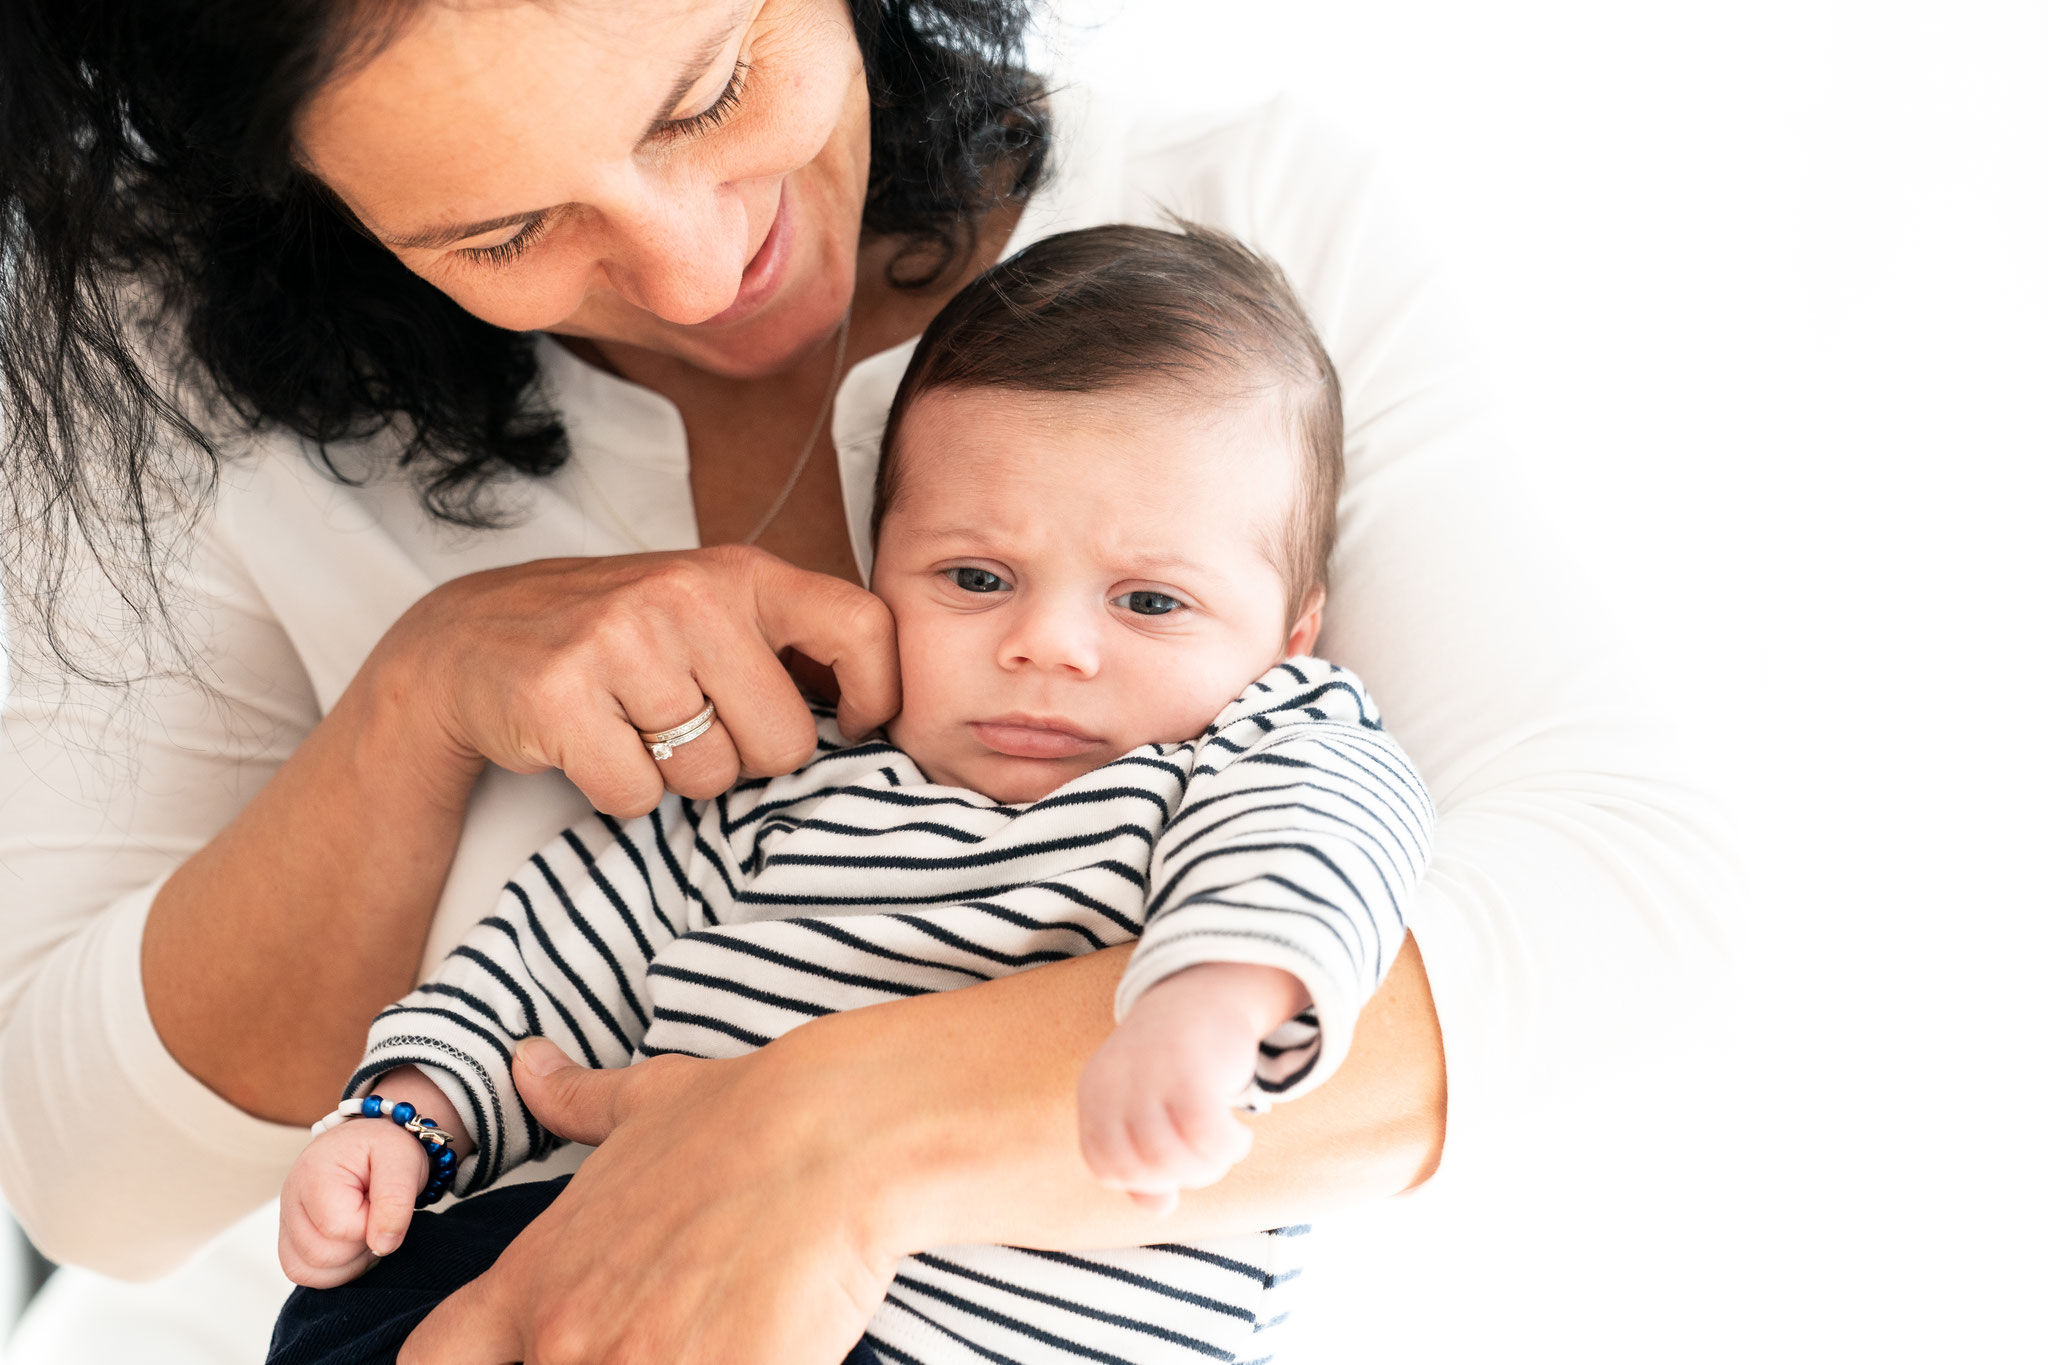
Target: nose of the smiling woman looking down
[(679, 251)]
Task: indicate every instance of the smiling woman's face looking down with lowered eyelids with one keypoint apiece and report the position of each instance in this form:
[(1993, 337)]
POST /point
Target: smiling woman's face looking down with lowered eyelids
[(675, 175)]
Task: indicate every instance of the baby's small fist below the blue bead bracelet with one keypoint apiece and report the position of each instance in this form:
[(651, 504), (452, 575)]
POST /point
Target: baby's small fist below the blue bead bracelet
[(349, 1200)]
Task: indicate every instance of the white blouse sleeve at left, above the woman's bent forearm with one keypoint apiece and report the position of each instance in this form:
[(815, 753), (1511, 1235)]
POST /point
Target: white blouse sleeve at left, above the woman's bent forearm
[(112, 1155)]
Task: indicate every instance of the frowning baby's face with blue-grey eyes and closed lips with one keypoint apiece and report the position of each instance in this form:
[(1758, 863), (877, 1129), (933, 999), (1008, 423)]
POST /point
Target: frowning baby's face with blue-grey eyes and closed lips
[(1076, 576)]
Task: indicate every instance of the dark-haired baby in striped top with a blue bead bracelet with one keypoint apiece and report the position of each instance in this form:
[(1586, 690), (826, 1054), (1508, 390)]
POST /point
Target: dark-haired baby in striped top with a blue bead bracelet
[(1103, 517)]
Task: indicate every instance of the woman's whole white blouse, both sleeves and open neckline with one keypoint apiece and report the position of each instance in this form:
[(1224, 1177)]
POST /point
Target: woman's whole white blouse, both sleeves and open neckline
[(1578, 875)]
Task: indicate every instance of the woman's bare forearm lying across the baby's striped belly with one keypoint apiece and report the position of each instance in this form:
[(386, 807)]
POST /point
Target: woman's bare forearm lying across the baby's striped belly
[(974, 1135)]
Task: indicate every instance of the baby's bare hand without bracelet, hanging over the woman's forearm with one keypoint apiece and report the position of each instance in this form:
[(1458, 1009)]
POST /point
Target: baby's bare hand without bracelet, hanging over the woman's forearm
[(1156, 1100)]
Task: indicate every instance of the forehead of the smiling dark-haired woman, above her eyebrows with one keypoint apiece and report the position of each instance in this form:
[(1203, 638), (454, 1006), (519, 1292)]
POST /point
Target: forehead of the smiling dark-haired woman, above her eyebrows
[(476, 112)]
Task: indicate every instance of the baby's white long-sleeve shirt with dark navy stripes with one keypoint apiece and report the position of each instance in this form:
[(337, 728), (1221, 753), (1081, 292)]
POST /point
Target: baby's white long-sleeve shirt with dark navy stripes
[(1289, 834)]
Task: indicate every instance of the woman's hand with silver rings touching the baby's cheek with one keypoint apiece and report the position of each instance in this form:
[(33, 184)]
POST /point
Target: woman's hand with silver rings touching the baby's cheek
[(560, 662)]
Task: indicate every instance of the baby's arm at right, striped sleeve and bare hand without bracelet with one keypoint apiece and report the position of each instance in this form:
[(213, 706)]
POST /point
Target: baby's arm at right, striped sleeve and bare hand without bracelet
[(1279, 901)]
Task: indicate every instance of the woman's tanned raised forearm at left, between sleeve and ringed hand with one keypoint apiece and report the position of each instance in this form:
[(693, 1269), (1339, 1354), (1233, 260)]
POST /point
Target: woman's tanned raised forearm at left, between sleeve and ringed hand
[(271, 949)]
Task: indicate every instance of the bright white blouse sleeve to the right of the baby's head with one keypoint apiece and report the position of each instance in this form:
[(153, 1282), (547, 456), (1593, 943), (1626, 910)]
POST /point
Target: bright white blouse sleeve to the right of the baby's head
[(1582, 873)]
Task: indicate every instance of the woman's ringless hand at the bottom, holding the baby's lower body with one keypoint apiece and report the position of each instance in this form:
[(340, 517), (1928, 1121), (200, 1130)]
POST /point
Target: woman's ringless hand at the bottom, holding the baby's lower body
[(751, 1247)]
